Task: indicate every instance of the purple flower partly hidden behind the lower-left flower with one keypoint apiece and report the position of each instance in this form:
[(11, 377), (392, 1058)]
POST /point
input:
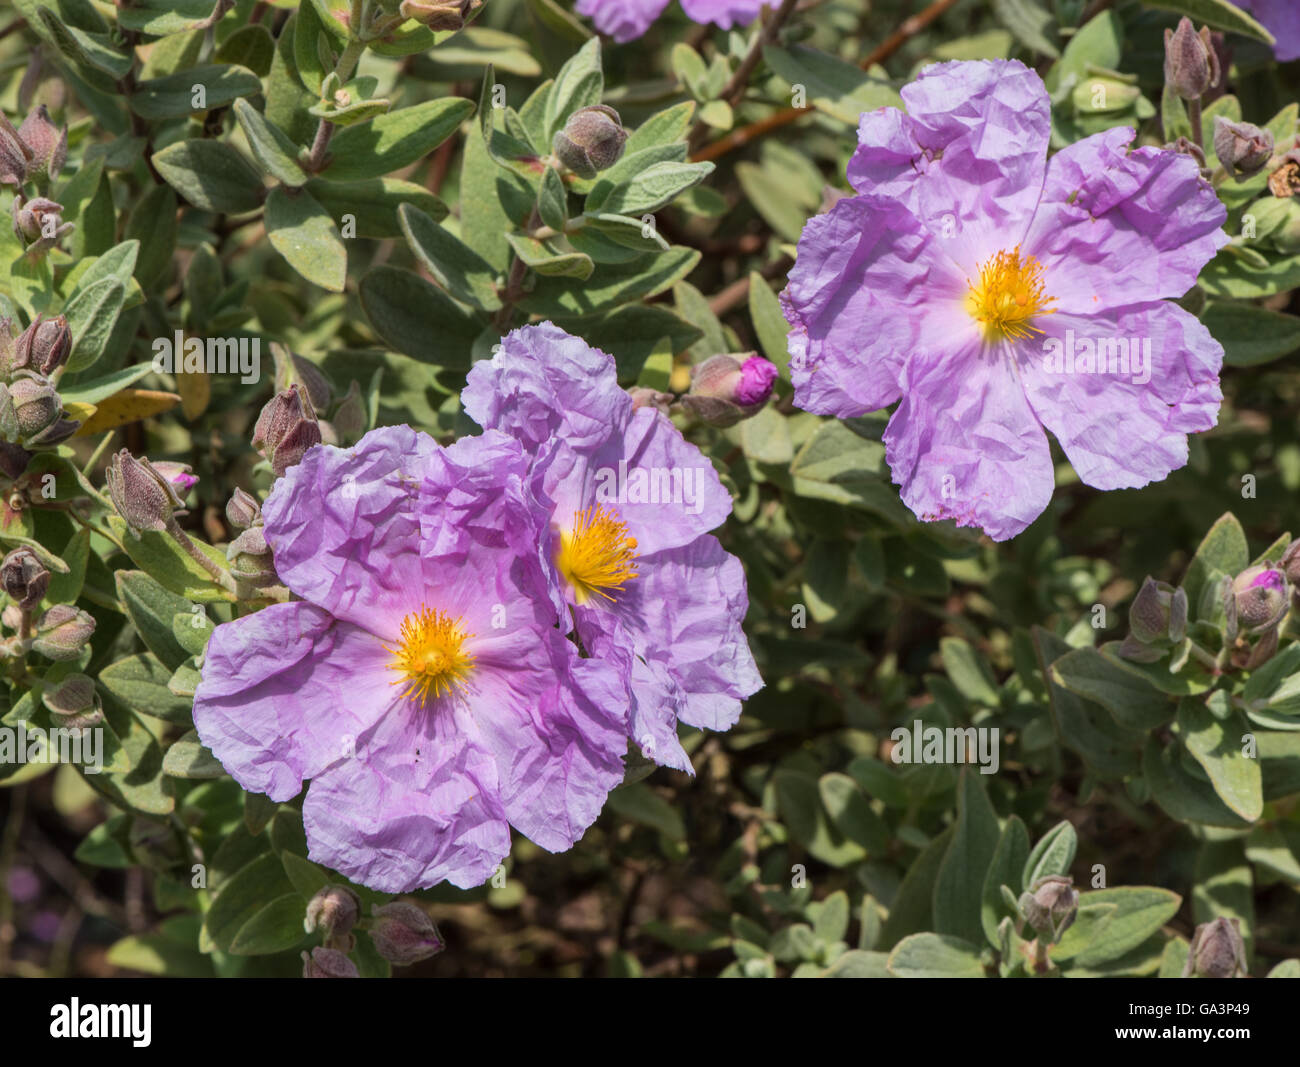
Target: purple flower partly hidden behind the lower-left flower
[(630, 556)]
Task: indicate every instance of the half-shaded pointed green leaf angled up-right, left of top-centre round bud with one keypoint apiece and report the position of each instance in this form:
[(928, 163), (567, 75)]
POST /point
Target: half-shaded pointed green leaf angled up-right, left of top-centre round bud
[(395, 141)]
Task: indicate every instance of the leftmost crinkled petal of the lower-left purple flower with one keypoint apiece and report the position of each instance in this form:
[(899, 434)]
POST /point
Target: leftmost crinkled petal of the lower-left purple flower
[(284, 693)]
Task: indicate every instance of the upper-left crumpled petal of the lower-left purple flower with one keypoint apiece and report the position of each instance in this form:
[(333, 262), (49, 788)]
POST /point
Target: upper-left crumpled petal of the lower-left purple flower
[(343, 523)]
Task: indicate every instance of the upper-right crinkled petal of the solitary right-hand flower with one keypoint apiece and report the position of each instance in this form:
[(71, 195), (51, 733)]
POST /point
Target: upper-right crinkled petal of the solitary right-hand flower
[(1120, 228)]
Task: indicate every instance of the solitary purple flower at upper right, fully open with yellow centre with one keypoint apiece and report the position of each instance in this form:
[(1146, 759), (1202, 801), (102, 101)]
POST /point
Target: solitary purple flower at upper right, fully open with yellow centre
[(995, 293)]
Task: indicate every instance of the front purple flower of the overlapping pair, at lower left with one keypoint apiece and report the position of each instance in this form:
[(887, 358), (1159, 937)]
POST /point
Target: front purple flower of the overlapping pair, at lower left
[(421, 682)]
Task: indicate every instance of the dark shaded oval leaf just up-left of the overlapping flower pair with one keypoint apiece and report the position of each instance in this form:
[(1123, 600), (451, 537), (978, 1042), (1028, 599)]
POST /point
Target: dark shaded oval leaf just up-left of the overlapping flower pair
[(418, 319)]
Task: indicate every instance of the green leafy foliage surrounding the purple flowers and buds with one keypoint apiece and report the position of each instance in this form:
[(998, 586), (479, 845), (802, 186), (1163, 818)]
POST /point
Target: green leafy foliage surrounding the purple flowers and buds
[(232, 174)]
